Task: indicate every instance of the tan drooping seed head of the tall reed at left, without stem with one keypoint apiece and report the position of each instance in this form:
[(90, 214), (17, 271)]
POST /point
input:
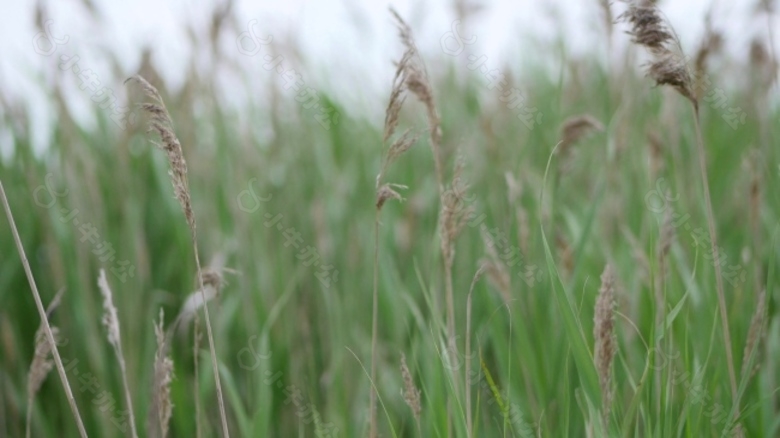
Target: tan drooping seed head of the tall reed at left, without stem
[(162, 124)]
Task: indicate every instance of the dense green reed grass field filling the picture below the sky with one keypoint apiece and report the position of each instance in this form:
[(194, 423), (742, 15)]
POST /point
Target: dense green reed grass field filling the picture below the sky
[(289, 211)]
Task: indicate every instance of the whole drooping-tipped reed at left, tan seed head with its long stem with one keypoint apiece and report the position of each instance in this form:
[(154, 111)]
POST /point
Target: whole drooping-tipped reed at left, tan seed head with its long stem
[(161, 123)]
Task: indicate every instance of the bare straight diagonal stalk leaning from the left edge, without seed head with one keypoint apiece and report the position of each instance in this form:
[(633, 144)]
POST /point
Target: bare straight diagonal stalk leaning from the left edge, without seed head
[(42, 313)]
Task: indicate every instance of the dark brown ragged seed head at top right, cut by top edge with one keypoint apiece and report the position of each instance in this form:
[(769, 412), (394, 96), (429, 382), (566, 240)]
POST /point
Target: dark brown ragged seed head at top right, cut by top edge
[(650, 30)]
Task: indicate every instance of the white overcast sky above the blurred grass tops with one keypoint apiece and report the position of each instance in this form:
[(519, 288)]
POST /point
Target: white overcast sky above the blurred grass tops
[(347, 45)]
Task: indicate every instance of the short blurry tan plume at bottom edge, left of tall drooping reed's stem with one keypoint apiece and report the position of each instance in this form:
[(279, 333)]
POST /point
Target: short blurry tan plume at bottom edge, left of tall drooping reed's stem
[(161, 407)]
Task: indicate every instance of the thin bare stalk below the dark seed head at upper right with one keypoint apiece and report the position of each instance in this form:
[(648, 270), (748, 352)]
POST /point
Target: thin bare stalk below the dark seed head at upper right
[(714, 243)]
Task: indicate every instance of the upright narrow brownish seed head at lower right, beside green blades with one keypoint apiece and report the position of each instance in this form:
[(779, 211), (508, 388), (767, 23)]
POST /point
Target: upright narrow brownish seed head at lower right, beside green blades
[(604, 336)]
